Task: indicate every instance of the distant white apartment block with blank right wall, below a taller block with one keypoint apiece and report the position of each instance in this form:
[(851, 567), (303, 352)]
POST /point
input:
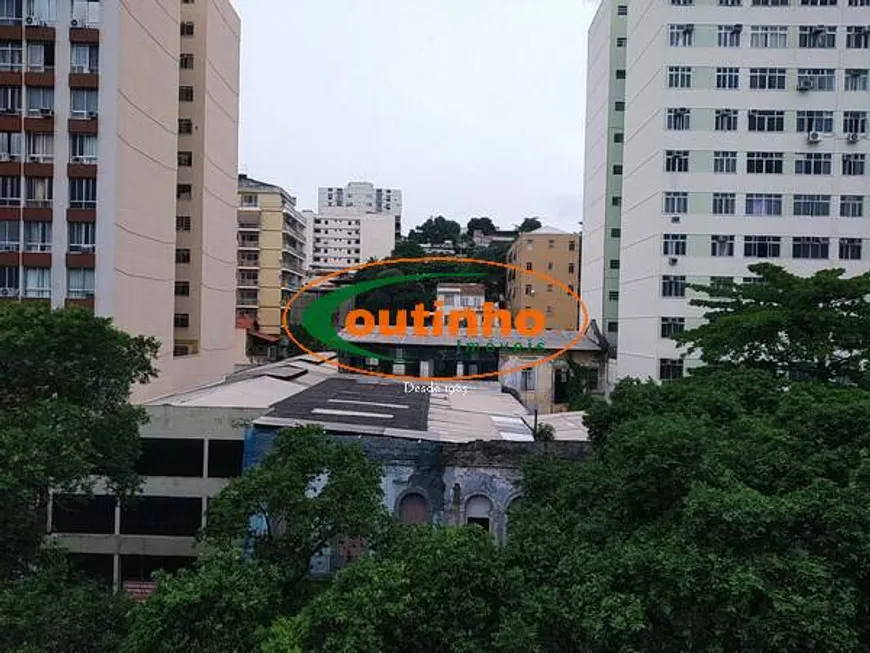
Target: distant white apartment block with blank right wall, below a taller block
[(341, 237)]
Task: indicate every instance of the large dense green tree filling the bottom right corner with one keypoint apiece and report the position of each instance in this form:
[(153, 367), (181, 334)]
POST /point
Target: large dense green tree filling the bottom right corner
[(721, 512)]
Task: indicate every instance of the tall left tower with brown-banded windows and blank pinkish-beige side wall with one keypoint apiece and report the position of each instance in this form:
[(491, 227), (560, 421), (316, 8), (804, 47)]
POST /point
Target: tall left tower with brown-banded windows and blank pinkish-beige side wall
[(91, 162)]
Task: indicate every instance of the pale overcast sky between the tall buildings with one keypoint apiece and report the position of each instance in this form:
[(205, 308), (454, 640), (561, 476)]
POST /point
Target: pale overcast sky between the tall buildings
[(470, 107)]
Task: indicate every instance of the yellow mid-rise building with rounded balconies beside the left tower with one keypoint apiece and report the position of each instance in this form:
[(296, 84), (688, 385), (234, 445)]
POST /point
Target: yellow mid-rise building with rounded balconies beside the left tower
[(271, 253)]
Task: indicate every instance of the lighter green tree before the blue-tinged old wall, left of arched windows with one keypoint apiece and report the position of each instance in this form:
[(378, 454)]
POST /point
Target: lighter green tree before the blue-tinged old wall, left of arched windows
[(309, 492)]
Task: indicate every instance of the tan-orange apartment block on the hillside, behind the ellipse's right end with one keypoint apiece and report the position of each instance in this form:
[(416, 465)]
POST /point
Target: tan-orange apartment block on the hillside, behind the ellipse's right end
[(555, 253)]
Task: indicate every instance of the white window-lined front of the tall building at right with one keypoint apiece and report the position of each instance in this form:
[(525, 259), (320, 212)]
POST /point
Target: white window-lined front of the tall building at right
[(745, 141)]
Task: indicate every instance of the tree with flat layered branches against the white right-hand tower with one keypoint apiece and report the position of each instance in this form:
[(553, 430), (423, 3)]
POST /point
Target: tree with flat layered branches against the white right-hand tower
[(815, 327)]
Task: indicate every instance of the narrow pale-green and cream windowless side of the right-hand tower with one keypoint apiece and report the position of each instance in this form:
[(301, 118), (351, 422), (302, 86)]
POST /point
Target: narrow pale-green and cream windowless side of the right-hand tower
[(602, 194)]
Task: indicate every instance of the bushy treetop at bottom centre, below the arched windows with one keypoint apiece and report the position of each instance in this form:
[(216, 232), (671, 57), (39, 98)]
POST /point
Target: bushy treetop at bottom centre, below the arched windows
[(430, 590)]
